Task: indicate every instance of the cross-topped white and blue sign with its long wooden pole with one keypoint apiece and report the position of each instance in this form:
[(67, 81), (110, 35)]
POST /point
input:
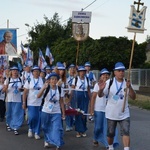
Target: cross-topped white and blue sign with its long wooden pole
[(136, 25)]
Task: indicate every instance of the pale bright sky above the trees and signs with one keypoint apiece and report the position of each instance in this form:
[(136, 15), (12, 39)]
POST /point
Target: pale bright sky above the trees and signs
[(109, 17)]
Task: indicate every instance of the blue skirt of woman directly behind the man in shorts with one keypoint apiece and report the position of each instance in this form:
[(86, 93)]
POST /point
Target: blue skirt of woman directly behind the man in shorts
[(100, 129)]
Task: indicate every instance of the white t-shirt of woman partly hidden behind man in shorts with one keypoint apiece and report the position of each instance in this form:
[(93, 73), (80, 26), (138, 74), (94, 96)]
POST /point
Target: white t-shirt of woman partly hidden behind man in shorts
[(100, 102)]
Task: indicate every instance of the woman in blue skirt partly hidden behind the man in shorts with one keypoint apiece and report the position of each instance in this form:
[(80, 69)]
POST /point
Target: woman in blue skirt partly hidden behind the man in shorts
[(98, 105)]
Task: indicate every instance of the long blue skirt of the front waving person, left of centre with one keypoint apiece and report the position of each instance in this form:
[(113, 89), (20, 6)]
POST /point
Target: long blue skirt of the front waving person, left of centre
[(52, 128)]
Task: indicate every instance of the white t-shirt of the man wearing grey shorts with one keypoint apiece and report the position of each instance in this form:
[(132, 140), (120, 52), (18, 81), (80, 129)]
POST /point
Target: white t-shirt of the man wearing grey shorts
[(115, 103)]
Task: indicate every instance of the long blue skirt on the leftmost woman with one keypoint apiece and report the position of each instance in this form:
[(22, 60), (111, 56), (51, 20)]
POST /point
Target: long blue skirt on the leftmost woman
[(14, 115)]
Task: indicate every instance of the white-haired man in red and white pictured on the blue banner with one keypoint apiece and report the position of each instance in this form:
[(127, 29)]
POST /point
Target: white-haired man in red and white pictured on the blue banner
[(6, 47)]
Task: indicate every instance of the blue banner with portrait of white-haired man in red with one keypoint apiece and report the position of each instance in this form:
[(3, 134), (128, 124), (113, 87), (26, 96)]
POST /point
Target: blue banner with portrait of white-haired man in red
[(8, 42)]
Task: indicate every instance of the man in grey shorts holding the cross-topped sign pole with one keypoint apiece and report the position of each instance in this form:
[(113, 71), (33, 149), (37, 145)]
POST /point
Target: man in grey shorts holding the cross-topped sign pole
[(114, 112)]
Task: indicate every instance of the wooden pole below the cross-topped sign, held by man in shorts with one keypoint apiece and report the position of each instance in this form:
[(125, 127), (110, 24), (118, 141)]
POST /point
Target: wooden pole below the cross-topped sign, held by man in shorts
[(129, 71)]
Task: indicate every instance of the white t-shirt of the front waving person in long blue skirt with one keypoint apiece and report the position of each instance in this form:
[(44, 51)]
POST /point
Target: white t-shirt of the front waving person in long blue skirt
[(51, 104)]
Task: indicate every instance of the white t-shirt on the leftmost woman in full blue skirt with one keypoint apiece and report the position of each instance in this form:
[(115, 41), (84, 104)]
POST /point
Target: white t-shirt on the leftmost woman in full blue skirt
[(13, 94)]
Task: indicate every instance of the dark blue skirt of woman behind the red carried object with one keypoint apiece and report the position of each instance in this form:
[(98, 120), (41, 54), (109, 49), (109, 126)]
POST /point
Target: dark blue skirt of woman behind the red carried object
[(82, 102)]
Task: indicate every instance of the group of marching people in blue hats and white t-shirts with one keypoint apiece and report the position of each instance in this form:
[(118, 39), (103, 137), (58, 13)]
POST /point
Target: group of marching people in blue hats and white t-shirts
[(45, 95)]
